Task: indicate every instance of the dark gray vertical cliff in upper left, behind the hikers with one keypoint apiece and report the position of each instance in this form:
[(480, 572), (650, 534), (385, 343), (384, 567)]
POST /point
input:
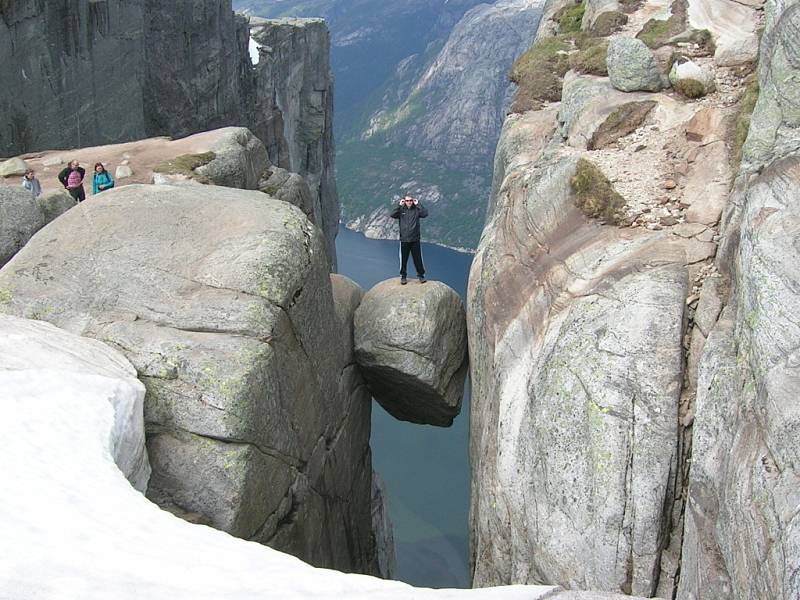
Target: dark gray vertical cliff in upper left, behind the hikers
[(116, 71)]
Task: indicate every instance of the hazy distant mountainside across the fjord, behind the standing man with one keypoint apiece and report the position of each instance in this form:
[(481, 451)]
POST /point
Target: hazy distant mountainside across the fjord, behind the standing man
[(421, 93)]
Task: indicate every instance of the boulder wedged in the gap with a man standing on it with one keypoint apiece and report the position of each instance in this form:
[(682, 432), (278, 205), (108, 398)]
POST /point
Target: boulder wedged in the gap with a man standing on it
[(411, 347)]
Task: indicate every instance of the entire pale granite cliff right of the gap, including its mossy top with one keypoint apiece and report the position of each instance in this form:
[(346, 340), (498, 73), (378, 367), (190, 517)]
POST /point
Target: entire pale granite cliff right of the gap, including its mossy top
[(632, 344)]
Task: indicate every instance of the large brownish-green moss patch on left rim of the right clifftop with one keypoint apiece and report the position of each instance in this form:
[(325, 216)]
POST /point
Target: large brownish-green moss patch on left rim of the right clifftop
[(538, 73)]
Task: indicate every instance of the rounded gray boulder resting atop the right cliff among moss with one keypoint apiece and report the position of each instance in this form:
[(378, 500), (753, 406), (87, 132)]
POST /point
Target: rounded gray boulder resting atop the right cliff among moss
[(632, 66)]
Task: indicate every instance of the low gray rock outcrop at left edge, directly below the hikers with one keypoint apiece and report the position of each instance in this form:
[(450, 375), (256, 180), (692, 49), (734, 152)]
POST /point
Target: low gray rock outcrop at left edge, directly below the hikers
[(21, 216)]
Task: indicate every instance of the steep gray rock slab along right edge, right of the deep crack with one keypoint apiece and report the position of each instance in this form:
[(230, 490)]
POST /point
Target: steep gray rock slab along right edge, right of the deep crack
[(742, 538)]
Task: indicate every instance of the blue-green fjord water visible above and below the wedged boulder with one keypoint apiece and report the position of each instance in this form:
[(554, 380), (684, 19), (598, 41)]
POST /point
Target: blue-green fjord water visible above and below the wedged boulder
[(425, 468)]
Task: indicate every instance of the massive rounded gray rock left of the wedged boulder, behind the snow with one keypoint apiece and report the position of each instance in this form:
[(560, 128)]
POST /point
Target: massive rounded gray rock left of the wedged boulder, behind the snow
[(257, 417)]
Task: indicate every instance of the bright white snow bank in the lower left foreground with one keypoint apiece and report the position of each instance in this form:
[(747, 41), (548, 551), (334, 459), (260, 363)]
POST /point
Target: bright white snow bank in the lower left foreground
[(72, 424)]
